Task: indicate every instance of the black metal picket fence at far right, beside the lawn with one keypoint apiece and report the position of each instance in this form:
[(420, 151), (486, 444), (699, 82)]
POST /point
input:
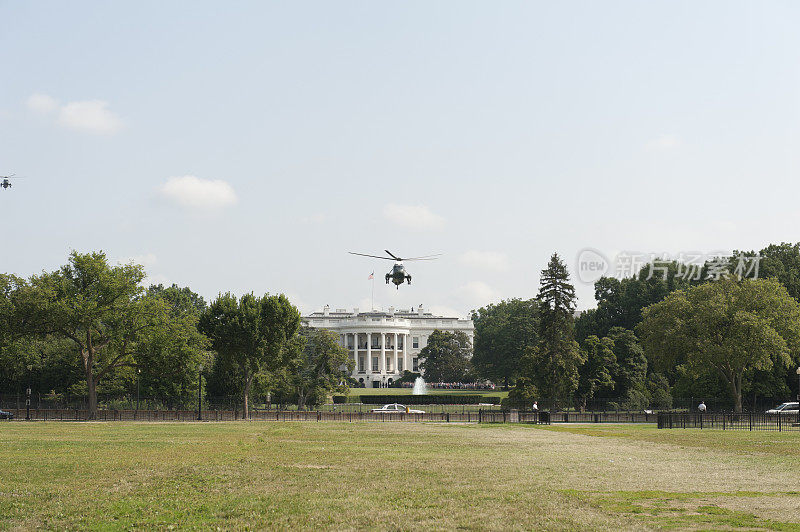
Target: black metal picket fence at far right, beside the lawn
[(729, 421)]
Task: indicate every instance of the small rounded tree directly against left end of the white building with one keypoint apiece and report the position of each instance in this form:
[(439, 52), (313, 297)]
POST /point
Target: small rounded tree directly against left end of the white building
[(321, 365)]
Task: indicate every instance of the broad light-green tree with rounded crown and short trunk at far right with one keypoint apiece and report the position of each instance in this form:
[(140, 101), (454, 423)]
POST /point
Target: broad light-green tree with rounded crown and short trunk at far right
[(727, 326)]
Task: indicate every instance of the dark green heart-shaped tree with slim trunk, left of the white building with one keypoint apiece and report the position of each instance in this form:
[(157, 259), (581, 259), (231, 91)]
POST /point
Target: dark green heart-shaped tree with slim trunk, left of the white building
[(253, 334)]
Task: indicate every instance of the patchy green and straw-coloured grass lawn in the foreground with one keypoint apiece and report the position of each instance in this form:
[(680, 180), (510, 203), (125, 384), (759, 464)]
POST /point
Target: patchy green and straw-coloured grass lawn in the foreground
[(394, 475)]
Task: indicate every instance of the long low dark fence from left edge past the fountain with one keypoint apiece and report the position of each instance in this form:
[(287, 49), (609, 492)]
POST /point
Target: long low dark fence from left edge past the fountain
[(481, 416)]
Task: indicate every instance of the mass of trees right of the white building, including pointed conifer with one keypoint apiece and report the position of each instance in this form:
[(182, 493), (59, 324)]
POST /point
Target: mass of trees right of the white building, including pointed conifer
[(651, 337)]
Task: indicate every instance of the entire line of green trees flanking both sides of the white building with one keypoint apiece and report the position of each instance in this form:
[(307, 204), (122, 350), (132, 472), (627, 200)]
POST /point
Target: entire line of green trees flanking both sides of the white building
[(91, 329)]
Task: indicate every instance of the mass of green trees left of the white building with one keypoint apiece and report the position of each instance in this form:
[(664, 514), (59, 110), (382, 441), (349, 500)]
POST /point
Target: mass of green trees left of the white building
[(91, 328)]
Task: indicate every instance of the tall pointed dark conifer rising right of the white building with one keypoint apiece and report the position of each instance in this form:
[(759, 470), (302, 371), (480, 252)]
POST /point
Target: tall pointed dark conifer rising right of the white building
[(554, 361)]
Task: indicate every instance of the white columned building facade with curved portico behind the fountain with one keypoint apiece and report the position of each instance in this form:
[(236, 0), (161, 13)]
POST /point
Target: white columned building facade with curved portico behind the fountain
[(384, 344)]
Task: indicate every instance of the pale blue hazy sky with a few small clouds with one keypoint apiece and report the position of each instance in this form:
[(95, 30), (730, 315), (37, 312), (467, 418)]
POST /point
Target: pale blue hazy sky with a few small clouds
[(248, 146)]
